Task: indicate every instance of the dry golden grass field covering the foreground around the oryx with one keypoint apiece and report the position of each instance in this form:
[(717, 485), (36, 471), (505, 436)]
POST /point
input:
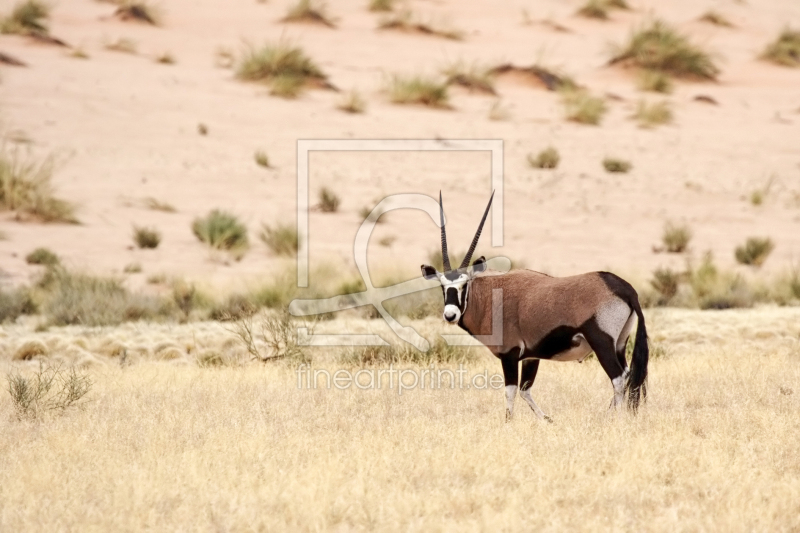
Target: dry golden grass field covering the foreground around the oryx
[(163, 442)]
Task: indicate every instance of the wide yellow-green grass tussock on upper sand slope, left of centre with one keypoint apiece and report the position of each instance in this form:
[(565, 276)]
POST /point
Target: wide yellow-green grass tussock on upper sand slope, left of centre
[(285, 68)]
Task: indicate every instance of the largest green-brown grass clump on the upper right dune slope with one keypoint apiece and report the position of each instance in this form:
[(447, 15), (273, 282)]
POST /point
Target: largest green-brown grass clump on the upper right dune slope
[(660, 47)]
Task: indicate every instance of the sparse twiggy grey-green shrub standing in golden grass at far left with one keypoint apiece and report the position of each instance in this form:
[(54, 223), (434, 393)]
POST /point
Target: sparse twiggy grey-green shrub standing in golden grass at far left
[(50, 389)]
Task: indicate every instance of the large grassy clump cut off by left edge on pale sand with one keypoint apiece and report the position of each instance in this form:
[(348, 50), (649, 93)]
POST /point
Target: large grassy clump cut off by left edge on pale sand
[(26, 187)]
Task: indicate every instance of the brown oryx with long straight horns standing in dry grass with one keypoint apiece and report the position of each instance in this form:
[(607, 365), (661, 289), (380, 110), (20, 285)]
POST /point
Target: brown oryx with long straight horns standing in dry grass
[(543, 317)]
